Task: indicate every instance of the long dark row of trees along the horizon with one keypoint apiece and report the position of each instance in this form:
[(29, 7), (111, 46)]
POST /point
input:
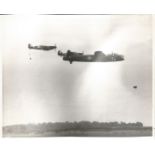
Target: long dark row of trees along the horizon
[(64, 126)]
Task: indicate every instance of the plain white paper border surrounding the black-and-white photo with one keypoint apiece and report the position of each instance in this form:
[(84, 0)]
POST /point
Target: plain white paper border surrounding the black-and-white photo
[(77, 146)]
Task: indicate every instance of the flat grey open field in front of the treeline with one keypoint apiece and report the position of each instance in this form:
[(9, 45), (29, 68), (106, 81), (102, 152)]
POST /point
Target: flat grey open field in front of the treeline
[(145, 131)]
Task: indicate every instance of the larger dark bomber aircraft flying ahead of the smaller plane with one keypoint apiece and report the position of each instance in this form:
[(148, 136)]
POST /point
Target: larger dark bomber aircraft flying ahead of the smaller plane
[(98, 56)]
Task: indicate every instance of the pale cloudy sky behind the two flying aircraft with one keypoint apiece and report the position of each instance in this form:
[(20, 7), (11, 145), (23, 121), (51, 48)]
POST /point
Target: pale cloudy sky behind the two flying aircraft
[(48, 89)]
